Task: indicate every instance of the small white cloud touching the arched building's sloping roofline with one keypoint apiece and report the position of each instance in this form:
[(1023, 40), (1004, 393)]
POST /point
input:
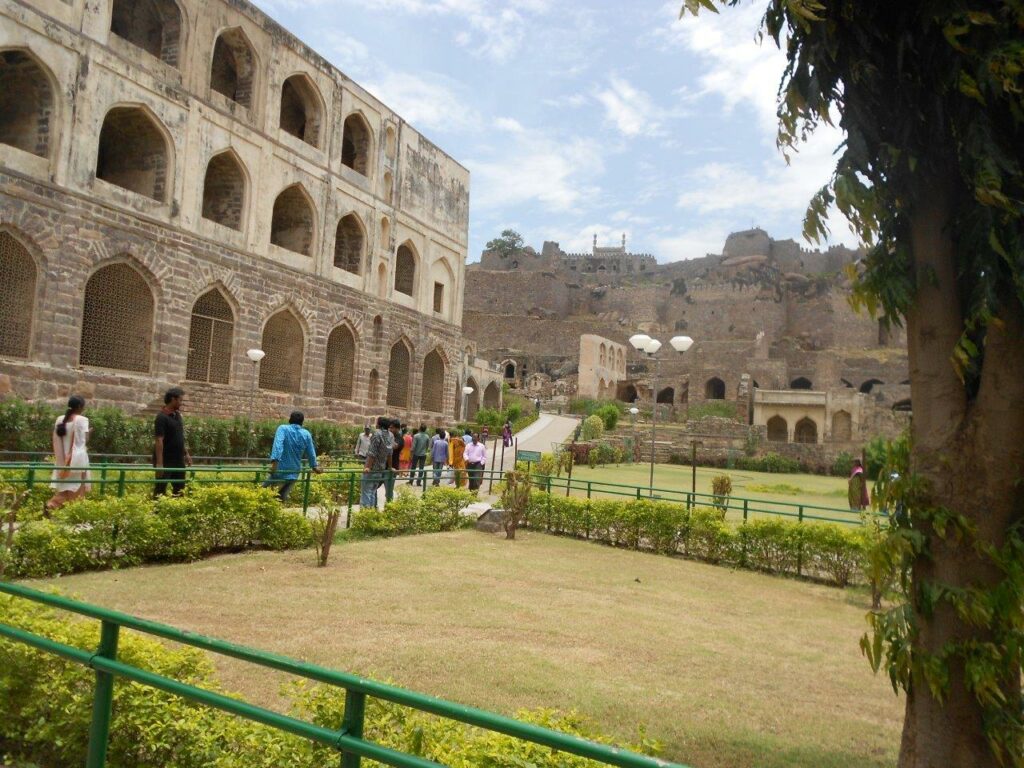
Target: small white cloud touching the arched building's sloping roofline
[(428, 103)]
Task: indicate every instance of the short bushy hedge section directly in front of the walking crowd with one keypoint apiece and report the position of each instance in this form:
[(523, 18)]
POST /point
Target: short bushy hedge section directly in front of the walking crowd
[(439, 509)]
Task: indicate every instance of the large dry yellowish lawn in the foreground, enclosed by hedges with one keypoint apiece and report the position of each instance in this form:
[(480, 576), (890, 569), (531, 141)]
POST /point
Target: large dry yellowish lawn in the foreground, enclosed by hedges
[(726, 668)]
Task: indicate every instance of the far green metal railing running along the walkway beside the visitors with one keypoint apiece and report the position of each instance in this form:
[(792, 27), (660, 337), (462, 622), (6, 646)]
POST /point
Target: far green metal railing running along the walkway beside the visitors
[(117, 479)]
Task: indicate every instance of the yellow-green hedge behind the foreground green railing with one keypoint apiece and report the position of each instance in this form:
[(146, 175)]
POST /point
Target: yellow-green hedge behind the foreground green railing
[(49, 706)]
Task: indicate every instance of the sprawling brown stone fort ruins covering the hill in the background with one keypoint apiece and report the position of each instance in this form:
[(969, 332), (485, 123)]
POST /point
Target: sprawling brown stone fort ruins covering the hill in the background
[(776, 335)]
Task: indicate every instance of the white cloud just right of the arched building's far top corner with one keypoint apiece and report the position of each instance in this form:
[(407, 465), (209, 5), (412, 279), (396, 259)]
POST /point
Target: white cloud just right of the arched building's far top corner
[(538, 169)]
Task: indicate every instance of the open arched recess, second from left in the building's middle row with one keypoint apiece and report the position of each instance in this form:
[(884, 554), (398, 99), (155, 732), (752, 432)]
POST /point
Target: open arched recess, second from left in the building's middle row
[(134, 153)]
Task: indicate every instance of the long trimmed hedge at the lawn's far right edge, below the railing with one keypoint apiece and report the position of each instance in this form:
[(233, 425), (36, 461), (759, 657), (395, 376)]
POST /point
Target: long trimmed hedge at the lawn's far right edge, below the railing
[(827, 551)]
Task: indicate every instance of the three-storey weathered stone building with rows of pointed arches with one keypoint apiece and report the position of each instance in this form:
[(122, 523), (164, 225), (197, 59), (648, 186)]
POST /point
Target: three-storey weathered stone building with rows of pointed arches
[(183, 182)]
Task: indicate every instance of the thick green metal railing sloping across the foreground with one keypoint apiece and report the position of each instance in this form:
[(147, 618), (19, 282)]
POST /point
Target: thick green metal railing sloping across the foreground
[(349, 741)]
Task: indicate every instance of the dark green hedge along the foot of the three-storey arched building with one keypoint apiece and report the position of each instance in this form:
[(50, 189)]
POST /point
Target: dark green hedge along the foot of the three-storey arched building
[(26, 428)]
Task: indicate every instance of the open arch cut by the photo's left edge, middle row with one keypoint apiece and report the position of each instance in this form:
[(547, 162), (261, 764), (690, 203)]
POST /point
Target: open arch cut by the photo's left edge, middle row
[(26, 104)]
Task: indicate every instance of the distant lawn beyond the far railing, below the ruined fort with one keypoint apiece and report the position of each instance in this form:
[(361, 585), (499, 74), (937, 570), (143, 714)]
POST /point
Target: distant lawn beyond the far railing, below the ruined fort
[(779, 492)]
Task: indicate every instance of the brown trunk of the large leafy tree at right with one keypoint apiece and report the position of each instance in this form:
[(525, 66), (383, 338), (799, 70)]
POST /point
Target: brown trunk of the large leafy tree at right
[(971, 454)]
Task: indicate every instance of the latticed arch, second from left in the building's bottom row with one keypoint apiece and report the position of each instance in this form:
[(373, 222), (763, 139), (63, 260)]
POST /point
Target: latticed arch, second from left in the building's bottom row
[(117, 320)]
